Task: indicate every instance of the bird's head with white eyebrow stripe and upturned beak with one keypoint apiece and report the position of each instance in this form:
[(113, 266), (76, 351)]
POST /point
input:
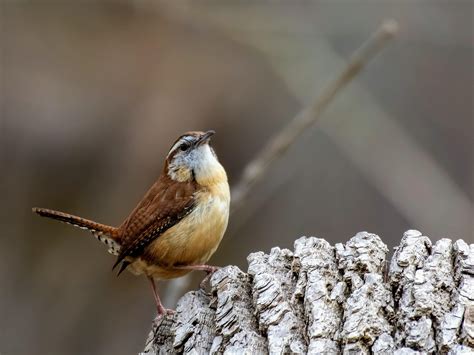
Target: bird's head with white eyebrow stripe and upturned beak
[(192, 158)]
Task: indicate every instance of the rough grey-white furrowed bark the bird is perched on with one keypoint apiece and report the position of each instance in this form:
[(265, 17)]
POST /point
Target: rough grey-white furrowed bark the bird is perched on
[(332, 299)]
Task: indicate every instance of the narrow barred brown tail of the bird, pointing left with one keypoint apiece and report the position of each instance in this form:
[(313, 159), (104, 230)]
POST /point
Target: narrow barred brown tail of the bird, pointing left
[(106, 234)]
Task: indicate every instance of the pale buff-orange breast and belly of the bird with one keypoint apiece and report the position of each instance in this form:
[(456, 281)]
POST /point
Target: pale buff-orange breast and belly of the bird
[(190, 242)]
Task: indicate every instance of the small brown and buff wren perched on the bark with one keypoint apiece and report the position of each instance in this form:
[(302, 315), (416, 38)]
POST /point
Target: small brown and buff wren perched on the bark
[(178, 224)]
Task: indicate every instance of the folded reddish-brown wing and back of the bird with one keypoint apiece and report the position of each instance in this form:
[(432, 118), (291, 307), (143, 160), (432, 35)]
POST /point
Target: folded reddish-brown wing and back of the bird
[(164, 205)]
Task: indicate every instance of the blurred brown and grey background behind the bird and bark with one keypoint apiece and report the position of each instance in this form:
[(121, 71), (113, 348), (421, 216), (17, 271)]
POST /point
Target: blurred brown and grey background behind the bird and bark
[(94, 93)]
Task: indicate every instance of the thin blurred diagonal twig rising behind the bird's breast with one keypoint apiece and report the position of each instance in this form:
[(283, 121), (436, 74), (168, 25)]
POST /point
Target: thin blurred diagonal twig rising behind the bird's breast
[(280, 143)]
